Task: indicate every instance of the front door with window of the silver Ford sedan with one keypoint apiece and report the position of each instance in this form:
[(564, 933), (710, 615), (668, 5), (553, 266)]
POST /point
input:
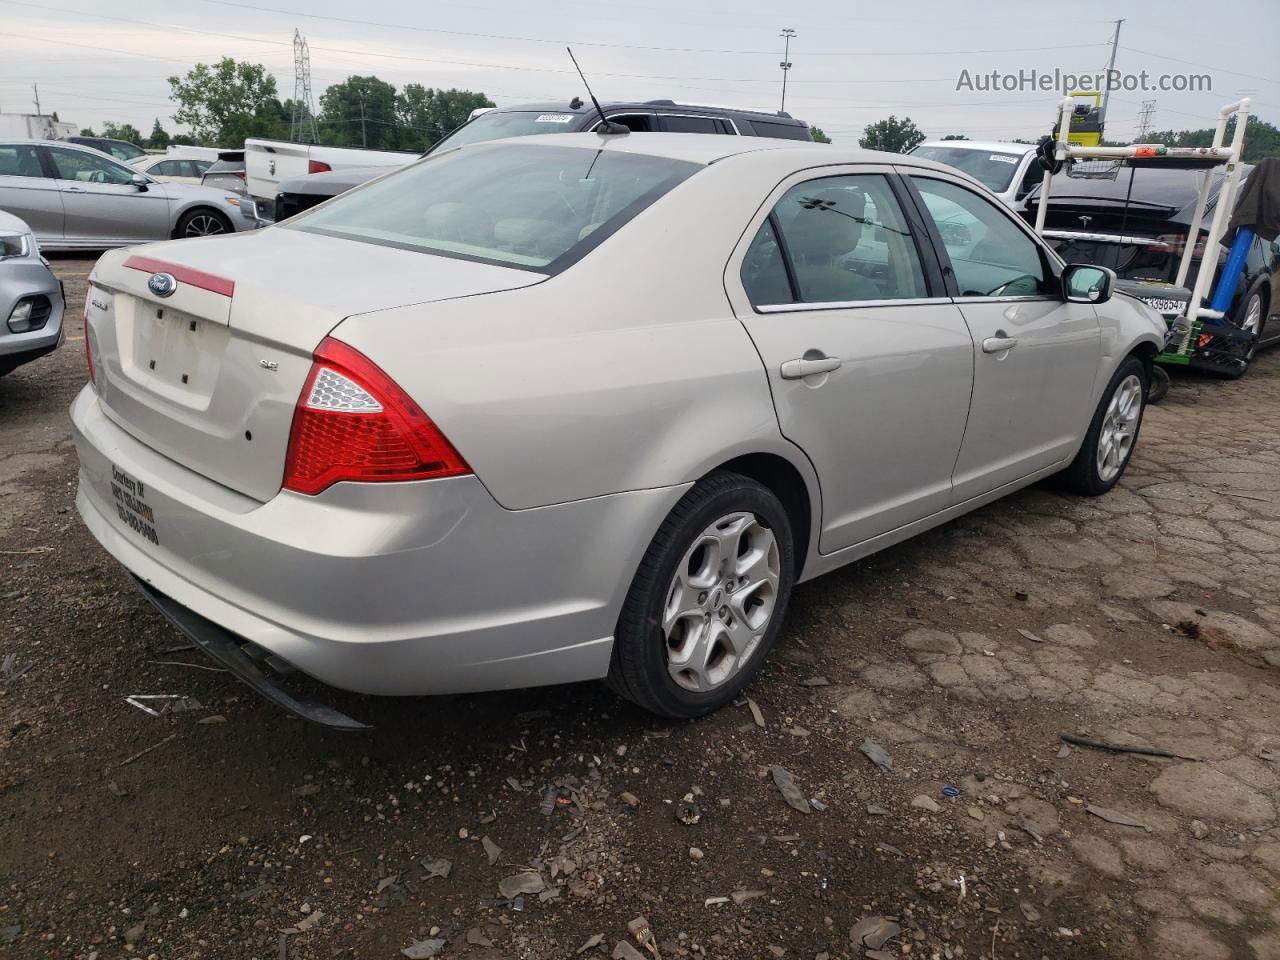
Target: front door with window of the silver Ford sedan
[(1037, 355)]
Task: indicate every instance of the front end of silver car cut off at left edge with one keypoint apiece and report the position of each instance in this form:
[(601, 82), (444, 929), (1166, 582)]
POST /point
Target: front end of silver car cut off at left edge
[(31, 299)]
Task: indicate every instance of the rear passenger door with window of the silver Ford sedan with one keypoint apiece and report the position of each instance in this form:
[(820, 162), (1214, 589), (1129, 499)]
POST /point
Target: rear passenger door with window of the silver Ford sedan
[(870, 363)]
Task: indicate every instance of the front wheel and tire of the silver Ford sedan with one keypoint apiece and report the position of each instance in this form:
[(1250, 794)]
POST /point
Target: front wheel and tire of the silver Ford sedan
[(1113, 433)]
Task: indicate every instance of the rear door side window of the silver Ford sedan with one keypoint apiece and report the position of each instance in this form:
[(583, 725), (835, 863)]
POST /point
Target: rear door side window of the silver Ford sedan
[(847, 240)]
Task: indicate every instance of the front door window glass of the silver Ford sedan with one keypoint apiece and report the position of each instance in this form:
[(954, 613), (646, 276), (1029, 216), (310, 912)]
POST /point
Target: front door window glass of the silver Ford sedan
[(991, 257)]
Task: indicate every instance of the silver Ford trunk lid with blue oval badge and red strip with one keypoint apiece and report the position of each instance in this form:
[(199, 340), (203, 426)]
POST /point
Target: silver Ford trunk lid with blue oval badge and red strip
[(209, 374)]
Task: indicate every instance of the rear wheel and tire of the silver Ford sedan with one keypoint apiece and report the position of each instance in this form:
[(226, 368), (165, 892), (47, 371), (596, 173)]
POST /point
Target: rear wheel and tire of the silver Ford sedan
[(708, 601)]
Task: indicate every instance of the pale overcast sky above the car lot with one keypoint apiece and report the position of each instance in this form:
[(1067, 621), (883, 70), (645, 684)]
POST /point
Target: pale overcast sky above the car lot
[(98, 61)]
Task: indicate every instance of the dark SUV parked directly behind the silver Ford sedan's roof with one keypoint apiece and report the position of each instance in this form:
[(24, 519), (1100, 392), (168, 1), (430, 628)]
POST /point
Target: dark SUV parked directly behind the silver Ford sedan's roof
[(575, 117)]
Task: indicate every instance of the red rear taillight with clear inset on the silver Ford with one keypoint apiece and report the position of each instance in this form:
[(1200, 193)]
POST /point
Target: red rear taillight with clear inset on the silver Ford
[(354, 423)]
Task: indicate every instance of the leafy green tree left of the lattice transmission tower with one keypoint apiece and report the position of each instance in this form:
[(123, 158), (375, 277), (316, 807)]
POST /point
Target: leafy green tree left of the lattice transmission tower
[(227, 102)]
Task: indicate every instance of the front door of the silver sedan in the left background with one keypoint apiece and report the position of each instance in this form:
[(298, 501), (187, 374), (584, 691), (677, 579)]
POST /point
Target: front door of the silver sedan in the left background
[(102, 203)]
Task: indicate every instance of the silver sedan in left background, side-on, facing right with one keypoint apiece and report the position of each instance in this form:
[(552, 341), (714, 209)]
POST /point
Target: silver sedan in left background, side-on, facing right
[(79, 199)]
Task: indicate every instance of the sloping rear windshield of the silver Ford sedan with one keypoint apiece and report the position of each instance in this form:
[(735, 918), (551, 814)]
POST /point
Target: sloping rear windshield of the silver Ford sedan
[(534, 208)]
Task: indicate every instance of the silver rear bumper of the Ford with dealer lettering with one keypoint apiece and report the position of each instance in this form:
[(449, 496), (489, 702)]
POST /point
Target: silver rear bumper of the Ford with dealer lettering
[(417, 588)]
